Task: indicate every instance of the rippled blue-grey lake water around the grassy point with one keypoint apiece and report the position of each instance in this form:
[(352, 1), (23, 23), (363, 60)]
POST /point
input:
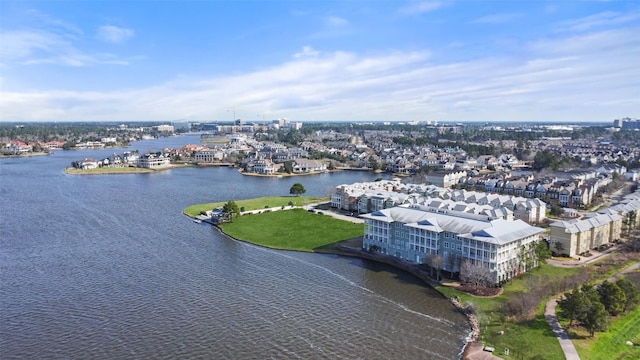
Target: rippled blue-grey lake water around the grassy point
[(107, 267)]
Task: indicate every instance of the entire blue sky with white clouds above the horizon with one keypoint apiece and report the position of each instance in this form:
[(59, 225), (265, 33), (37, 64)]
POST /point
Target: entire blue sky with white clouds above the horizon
[(312, 60)]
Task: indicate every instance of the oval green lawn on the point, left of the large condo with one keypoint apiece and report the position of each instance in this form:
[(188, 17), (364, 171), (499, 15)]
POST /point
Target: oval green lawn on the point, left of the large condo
[(294, 229)]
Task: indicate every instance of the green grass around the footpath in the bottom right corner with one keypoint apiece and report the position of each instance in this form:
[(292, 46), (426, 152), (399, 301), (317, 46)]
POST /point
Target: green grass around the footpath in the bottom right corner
[(533, 338)]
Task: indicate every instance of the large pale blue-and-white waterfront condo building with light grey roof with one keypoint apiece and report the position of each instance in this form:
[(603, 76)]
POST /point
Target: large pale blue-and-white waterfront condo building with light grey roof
[(415, 234)]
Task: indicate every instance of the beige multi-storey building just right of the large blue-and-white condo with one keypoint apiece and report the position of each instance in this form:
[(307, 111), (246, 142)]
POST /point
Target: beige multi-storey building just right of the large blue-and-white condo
[(574, 237)]
